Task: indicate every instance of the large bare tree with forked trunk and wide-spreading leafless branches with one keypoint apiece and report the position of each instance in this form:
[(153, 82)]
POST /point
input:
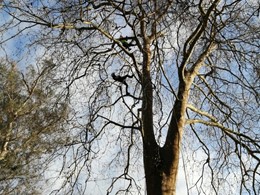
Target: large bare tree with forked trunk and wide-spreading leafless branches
[(195, 85)]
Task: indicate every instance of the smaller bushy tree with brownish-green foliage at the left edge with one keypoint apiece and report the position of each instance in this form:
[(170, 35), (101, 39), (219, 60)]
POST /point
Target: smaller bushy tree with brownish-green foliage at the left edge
[(29, 118)]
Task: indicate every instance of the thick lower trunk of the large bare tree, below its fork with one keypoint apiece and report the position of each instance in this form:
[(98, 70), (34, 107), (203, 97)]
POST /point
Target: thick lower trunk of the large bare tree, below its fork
[(161, 168)]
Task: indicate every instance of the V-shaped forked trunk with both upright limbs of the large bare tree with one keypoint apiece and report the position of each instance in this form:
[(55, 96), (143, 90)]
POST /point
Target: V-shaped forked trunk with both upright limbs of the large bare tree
[(161, 163)]
